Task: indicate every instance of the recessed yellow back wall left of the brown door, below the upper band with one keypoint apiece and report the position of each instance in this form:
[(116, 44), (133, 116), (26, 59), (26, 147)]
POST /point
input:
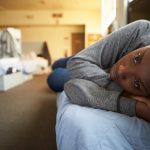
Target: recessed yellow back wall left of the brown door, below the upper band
[(58, 38)]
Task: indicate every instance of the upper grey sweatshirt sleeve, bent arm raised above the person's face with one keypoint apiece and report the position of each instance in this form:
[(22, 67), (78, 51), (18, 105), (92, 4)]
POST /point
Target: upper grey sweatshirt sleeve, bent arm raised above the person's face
[(91, 62)]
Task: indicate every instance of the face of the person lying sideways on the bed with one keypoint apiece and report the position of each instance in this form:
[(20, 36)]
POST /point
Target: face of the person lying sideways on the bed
[(132, 72)]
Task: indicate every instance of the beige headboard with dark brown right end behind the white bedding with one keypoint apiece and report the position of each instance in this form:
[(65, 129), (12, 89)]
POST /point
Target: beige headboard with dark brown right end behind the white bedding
[(40, 48)]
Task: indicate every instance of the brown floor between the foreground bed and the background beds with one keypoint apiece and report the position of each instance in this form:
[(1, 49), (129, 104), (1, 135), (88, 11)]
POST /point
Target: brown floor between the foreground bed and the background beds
[(28, 116)]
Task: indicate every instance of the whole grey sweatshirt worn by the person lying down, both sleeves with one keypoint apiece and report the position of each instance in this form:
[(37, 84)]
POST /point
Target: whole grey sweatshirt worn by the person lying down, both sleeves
[(90, 68)]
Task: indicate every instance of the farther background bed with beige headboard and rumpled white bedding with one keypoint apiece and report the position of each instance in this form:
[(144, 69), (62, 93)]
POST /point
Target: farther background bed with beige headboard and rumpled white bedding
[(36, 53)]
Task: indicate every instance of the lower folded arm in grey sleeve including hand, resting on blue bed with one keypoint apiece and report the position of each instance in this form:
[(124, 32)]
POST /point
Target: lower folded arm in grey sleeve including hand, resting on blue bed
[(87, 93)]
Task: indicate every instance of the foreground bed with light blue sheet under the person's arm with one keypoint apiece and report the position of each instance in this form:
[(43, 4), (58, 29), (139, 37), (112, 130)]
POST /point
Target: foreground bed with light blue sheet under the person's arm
[(83, 128)]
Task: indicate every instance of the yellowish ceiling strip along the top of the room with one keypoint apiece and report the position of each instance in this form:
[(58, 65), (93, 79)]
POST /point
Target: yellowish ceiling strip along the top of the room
[(49, 5)]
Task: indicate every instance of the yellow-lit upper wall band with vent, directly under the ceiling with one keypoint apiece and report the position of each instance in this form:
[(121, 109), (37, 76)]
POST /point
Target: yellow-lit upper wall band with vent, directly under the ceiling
[(91, 19)]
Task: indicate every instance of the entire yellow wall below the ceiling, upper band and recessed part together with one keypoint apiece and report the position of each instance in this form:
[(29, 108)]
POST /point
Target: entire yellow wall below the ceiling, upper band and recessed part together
[(40, 25)]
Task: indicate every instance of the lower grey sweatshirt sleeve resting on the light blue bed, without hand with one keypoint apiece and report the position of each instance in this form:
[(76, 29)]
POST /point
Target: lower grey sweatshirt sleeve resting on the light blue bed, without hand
[(87, 93)]
